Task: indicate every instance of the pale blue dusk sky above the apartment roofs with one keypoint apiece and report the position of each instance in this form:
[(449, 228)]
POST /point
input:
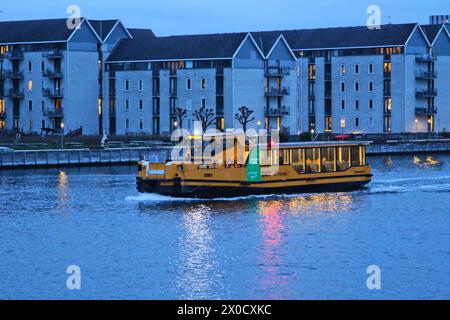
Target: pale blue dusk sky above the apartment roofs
[(210, 16)]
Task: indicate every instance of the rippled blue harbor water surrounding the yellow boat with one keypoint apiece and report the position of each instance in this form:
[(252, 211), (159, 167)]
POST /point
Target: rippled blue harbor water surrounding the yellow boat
[(307, 246)]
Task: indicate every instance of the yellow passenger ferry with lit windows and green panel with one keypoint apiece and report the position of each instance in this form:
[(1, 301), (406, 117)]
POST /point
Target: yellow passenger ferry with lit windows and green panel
[(282, 168)]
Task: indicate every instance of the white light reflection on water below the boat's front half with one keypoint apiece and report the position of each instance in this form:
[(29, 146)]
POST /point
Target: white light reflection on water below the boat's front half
[(196, 261)]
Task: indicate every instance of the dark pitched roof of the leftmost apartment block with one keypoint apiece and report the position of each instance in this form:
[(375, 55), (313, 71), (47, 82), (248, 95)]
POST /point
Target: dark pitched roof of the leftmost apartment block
[(30, 31)]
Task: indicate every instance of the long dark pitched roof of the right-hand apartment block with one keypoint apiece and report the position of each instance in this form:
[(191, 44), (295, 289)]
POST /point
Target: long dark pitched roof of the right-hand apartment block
[(342, 37)]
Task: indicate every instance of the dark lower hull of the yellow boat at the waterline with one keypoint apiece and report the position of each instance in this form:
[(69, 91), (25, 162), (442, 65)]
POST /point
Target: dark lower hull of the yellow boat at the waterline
[(179, 190)]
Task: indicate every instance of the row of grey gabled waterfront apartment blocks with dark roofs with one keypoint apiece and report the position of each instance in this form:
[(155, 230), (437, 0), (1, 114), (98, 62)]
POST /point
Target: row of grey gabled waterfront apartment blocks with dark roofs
[(103, 76)]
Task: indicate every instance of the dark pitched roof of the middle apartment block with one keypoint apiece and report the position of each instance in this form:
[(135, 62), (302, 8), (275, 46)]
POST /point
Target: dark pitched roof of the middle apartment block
[(178, 47)]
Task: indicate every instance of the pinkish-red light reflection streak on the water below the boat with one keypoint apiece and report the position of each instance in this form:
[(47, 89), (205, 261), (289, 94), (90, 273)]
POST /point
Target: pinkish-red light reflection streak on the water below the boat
[(273, 254)]
